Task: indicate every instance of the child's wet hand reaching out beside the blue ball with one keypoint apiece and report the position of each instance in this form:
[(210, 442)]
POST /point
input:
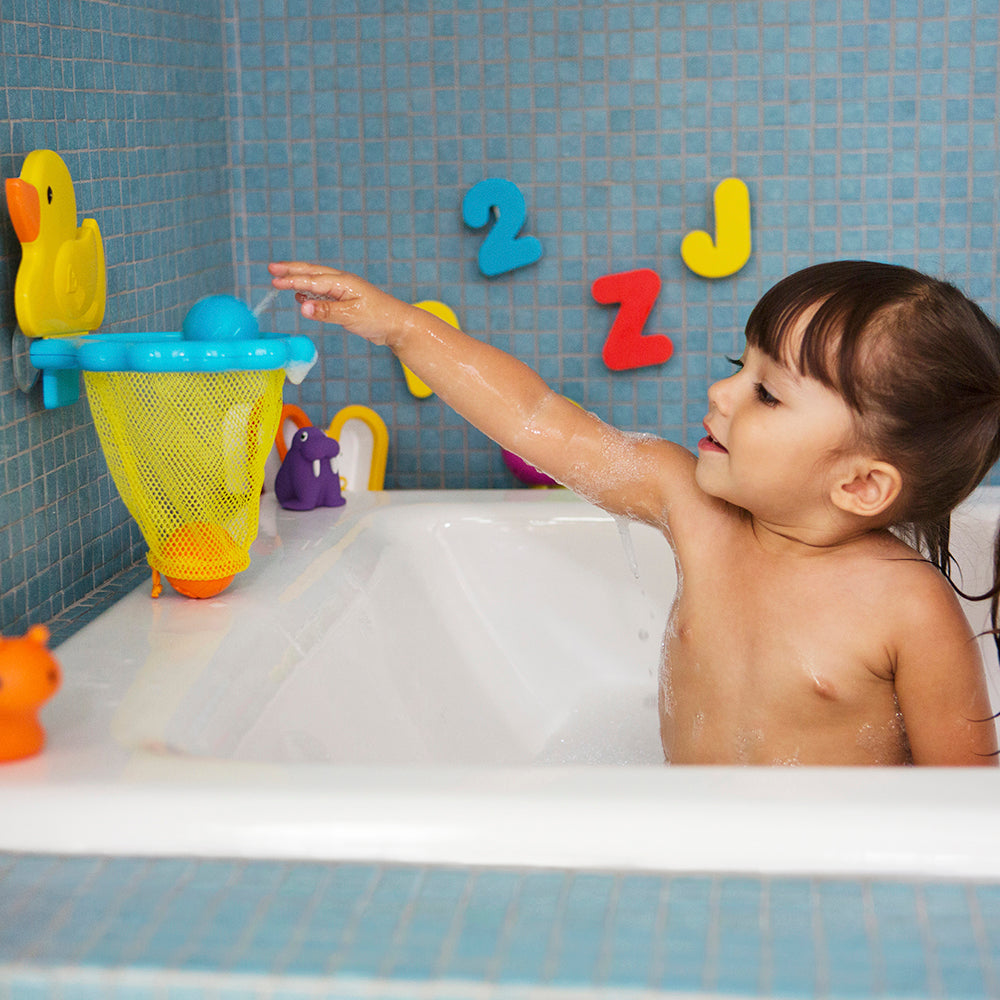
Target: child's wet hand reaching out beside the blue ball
[(332, 296)]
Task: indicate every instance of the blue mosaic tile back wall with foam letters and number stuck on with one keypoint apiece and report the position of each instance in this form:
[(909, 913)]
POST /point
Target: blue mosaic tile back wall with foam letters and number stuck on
[(862, 128)]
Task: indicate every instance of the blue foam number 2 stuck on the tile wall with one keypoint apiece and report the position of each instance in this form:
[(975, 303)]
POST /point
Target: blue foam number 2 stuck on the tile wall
[(503, 249)]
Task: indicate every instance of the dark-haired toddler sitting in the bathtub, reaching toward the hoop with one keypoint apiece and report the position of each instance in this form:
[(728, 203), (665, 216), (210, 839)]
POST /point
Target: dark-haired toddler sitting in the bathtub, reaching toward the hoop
[(807, 627)]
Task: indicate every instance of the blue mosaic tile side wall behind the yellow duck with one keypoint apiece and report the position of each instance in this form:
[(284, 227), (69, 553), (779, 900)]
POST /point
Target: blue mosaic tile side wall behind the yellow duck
[(131, 96)]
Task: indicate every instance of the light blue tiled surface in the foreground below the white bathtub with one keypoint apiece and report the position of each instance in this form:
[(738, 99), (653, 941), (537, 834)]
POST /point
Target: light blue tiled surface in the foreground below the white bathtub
[(84, 927)]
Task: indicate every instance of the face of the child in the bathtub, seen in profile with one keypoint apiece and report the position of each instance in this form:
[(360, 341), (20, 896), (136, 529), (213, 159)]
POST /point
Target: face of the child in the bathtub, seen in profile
[(775, 439)]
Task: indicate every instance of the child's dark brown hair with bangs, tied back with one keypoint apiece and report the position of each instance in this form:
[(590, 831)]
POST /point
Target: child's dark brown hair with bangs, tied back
[(918, 362)]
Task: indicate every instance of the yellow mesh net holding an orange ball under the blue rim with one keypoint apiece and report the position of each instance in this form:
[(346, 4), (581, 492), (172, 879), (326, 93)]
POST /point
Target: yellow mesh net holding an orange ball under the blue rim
[(186, 451)]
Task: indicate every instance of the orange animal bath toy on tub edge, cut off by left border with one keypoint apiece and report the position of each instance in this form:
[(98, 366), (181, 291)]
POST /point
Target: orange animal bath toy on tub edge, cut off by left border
[(29, 676)]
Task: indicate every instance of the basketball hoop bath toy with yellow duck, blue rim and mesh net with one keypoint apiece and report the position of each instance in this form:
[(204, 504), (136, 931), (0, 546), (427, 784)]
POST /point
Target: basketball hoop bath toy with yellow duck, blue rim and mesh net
[(185, 418)]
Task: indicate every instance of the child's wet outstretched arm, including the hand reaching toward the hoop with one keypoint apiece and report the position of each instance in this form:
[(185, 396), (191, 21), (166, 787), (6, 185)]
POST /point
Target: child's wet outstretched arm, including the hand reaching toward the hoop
[(497, 393)]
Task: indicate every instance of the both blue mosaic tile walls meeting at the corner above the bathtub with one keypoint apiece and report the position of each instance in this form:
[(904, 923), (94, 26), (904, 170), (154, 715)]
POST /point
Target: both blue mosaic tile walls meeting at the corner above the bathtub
[(206, 142)]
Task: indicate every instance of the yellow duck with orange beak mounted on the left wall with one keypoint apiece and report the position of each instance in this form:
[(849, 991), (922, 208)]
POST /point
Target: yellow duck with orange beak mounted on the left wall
[(60, 286)]
